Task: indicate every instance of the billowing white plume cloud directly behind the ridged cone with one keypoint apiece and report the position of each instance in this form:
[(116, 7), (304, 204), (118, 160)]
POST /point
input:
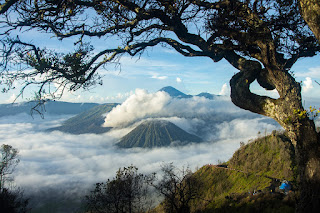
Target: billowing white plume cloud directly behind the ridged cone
[(143, 105)]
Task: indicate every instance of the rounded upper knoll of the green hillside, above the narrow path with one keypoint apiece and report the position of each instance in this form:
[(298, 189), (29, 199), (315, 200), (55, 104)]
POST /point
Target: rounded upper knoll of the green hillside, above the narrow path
[(269, 156)]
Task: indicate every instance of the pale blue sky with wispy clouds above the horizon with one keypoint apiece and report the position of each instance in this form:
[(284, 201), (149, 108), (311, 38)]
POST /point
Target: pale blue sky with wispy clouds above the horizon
[(159, 67)]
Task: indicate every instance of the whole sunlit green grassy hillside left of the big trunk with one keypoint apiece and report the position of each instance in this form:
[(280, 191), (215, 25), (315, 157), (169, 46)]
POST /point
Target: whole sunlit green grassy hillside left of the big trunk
[(226, 190)]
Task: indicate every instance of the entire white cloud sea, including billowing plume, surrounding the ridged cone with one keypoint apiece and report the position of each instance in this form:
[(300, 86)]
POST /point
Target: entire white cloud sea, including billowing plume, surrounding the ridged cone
[(69, 165)]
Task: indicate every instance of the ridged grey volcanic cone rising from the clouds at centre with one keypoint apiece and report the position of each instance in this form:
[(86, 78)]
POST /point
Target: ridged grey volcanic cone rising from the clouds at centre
[(156, 133)]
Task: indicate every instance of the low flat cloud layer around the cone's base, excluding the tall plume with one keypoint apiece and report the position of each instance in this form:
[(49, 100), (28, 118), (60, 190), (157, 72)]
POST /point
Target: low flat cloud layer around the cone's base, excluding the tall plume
[(61, 160)]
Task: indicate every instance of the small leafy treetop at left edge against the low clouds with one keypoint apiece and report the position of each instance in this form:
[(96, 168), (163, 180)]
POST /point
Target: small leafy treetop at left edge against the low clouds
[(8, 163)]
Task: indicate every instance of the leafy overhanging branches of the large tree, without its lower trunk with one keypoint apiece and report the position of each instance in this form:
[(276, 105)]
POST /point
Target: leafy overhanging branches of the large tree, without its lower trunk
[(269, 31)]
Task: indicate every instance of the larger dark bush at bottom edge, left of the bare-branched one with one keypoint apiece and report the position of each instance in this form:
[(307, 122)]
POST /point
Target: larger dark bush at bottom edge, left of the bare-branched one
[(127, 192)]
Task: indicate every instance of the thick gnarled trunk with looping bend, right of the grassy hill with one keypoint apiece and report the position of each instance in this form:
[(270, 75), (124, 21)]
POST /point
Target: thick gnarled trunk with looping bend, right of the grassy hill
[(290, 114)]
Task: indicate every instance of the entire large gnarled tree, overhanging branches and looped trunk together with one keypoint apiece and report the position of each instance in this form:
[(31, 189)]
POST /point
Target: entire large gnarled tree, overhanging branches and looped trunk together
[(261, 38)]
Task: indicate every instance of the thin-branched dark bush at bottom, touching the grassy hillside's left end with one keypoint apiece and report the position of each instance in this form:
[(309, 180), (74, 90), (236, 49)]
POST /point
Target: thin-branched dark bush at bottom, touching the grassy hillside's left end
[(178, 187)]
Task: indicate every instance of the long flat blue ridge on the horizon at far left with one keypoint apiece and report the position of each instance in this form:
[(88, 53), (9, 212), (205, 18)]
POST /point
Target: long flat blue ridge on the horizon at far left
[(50, 107)]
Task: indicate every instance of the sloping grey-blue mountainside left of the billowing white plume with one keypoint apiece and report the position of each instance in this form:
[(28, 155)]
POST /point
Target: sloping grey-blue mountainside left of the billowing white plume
[(89, 121)]
